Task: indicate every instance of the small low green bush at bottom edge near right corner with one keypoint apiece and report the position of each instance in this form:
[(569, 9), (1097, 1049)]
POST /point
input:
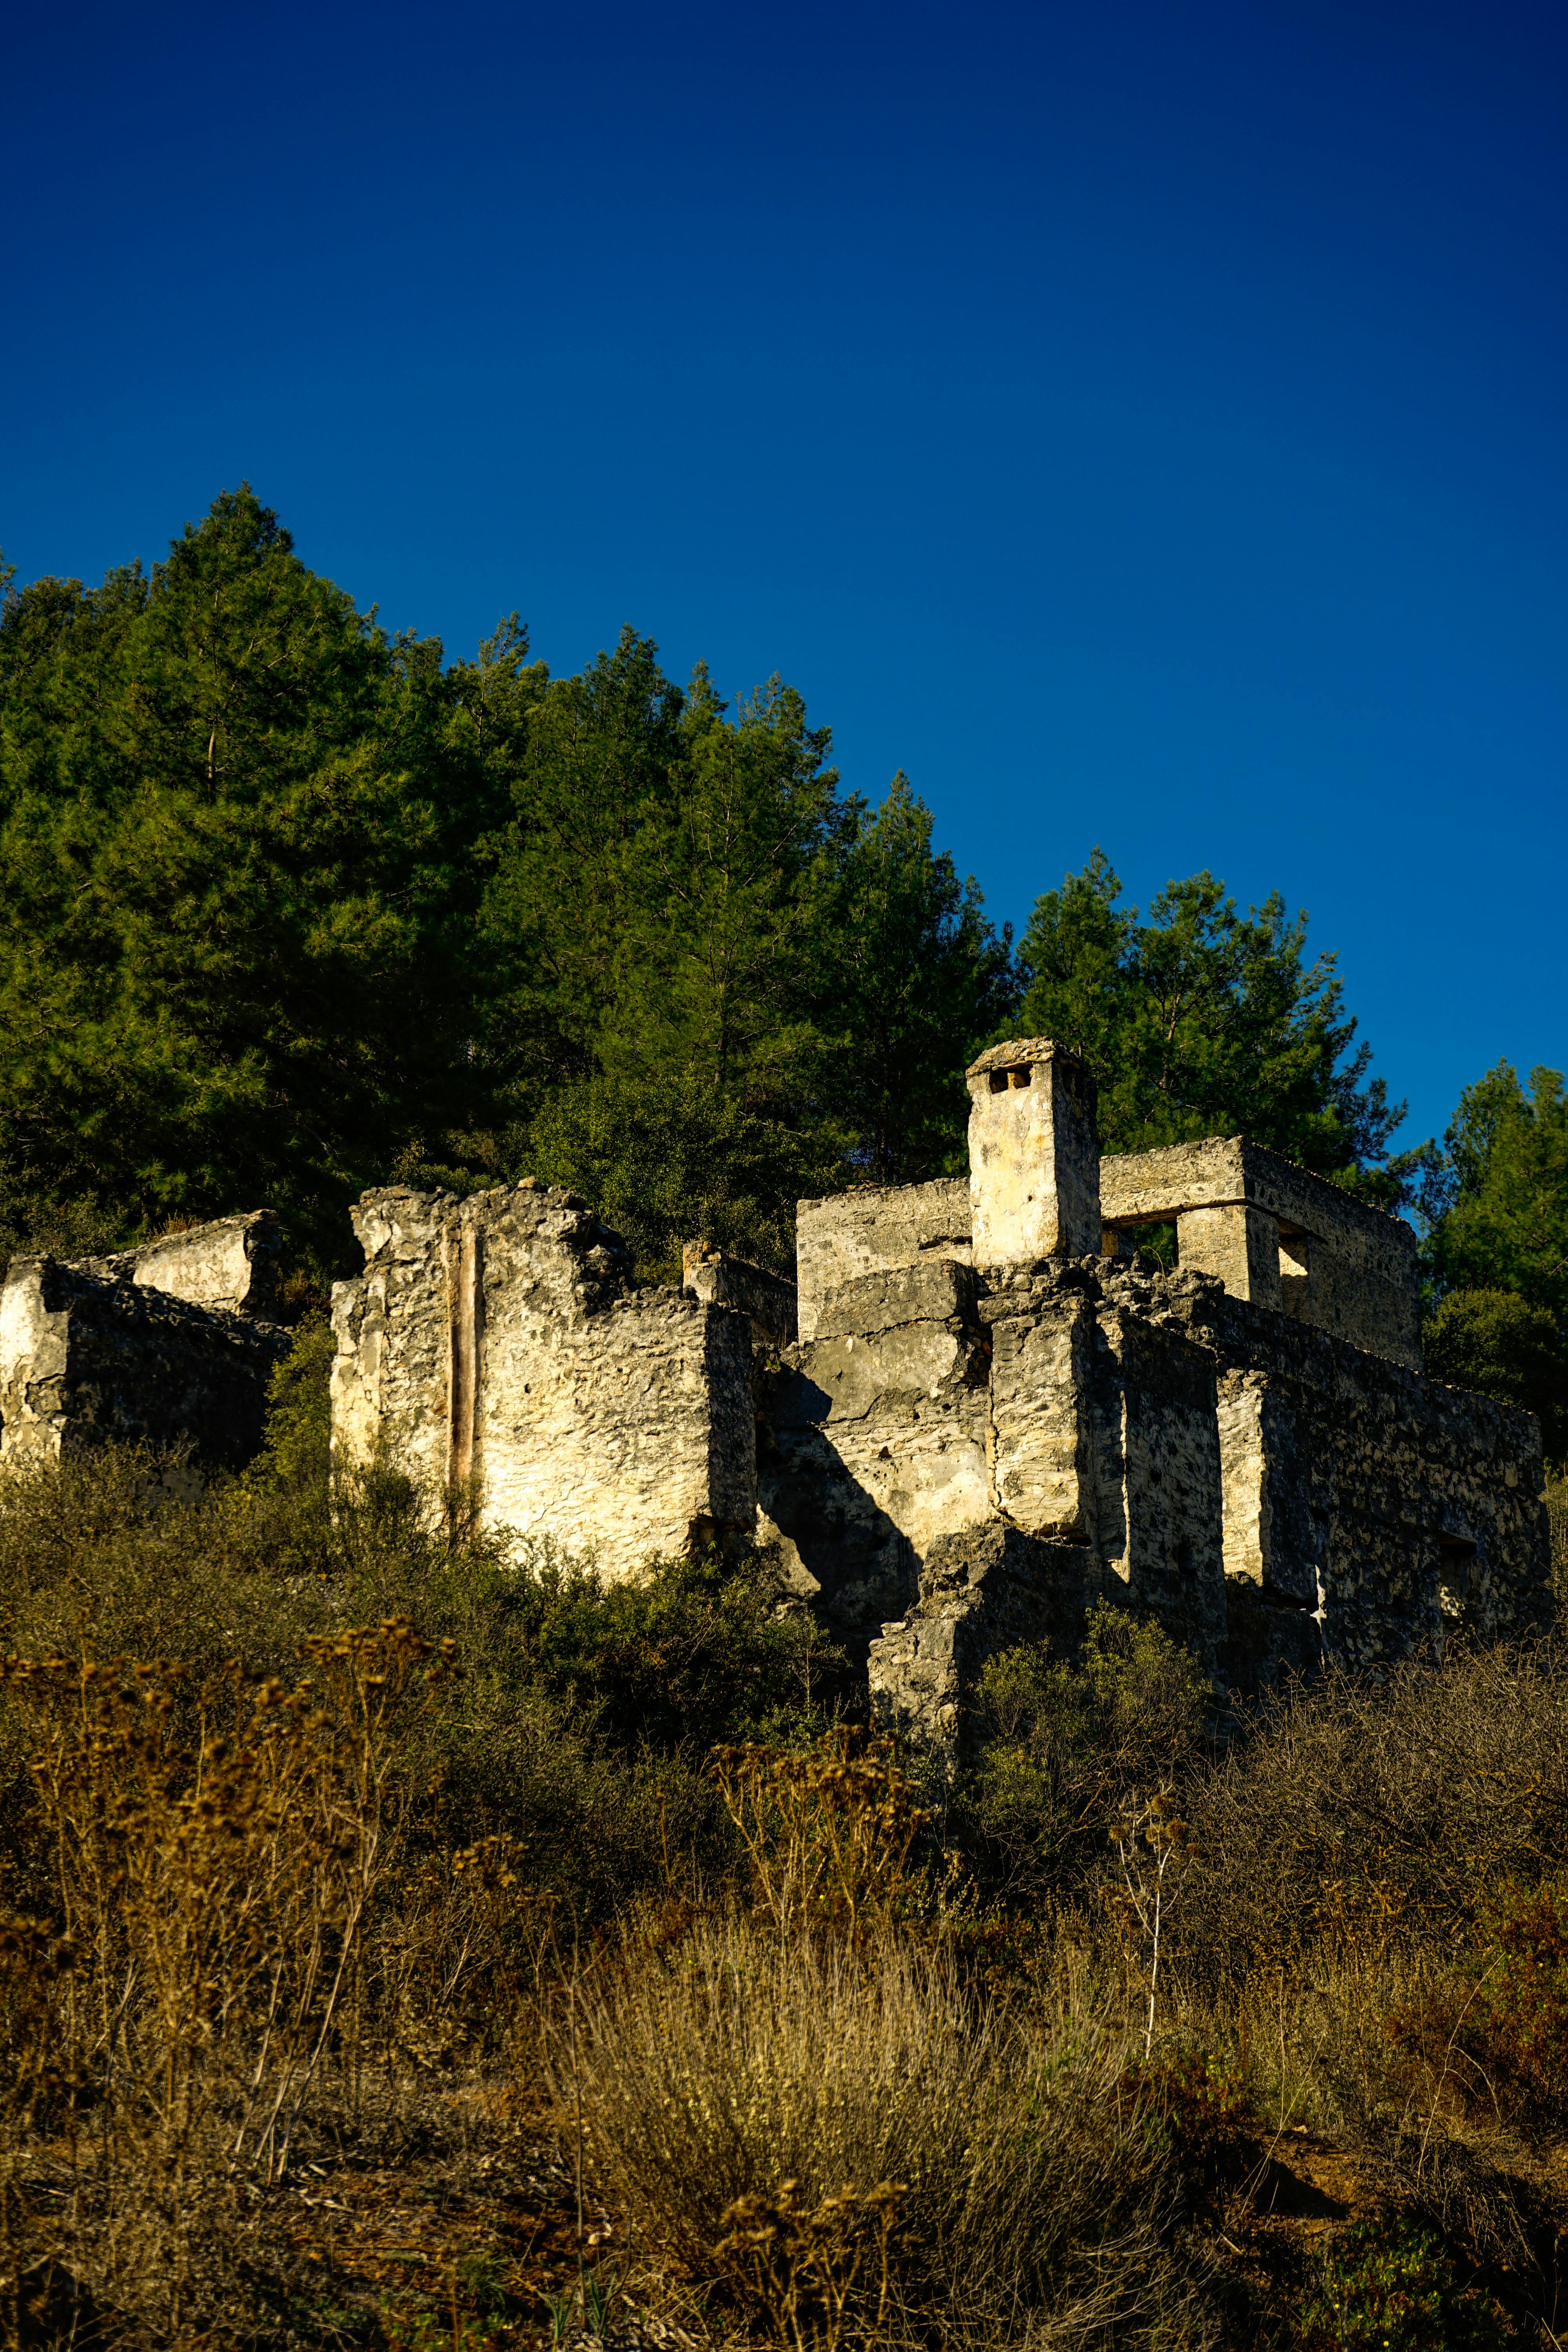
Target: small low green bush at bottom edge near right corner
[(1393, 2287)]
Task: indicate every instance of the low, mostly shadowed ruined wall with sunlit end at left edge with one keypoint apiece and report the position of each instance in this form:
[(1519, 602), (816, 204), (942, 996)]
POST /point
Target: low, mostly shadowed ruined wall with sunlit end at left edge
[(91, 1358)]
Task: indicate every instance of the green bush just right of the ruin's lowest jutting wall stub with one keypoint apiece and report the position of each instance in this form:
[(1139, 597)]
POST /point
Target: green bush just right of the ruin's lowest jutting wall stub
[(1061, 1746)]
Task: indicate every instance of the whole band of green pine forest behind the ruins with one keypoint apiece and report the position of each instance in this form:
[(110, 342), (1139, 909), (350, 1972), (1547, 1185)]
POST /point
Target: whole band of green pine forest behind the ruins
[(295, 907)]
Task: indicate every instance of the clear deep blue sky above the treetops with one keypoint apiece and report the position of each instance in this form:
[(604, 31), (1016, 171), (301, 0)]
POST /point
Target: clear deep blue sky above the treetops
[(1146, 425)]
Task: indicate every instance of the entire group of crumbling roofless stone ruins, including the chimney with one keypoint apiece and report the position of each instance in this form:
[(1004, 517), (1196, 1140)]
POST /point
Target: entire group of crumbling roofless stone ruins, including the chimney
[(979, 1410)]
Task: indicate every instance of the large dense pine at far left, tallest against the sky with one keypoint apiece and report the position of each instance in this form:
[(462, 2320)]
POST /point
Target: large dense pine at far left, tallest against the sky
[(239, 827)]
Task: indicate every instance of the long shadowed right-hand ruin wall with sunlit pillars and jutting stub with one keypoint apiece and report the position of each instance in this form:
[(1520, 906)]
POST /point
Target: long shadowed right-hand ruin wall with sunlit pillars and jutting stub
[(1271, 1495)]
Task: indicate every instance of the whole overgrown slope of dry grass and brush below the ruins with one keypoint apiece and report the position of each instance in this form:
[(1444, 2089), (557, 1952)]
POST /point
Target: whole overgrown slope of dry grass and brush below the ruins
[(311, 1970)]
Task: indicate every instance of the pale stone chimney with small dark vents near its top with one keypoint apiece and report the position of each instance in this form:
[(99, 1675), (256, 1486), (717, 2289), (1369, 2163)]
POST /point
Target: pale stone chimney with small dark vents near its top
[(1033, 1154)]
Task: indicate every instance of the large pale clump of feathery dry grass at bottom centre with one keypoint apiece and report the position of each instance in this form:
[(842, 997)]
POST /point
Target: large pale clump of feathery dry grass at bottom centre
[(784, 2099)]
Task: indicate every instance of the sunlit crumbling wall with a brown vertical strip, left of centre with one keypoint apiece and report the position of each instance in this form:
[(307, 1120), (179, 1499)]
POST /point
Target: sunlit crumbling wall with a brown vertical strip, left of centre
[(502, 1342)]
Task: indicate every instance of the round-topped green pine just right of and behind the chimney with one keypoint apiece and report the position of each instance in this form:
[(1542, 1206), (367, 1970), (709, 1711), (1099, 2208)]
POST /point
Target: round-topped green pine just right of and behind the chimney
[(1207, 1022)]
